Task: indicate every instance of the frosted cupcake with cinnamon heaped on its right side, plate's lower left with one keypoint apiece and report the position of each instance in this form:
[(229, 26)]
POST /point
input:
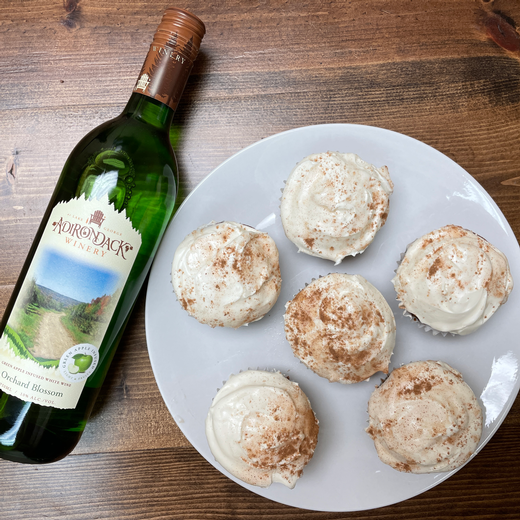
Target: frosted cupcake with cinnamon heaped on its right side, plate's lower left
[(261, 428)]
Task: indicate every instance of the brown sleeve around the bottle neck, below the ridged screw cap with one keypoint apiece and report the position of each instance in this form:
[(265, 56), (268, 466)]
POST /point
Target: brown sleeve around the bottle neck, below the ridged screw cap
[(165, 72)]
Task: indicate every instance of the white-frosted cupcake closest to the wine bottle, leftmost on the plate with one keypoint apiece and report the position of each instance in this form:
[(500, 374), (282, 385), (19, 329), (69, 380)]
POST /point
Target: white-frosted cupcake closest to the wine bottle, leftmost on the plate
[(226, 274)]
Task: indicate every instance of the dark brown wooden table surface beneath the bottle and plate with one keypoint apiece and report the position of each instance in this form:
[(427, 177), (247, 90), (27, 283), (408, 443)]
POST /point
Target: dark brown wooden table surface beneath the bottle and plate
[(446, 72)]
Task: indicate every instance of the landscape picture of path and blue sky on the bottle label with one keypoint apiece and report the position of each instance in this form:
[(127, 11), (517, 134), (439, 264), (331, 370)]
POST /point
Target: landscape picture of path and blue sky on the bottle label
[(64, 303)]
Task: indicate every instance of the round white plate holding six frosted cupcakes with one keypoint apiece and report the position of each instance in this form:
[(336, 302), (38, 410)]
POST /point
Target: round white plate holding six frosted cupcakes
[(190, 361)]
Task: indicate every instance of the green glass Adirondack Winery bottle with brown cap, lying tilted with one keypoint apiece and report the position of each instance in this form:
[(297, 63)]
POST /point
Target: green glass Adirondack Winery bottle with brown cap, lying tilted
[(92, 252)]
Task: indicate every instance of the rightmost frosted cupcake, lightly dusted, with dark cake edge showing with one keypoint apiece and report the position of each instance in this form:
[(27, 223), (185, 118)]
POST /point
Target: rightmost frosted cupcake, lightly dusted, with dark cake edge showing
[(452, 280)]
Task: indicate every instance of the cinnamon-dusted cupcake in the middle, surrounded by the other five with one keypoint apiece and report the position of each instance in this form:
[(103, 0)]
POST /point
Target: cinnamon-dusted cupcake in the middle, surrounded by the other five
[(341, 327)]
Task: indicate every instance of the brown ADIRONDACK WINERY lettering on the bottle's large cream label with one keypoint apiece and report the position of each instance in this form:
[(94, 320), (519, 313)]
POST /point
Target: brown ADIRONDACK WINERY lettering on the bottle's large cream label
[(100, 243)]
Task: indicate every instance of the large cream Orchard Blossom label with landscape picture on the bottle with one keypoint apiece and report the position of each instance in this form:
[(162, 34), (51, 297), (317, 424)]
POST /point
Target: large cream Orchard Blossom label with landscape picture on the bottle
[(50, 345)]
